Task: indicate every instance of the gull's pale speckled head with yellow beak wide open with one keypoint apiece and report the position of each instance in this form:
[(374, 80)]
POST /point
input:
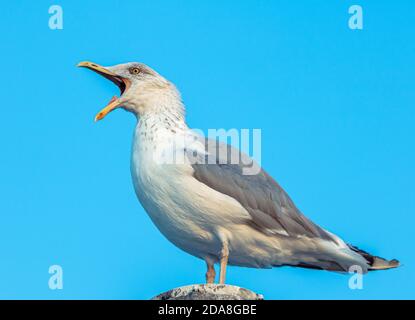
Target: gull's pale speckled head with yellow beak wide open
[(142, 90)]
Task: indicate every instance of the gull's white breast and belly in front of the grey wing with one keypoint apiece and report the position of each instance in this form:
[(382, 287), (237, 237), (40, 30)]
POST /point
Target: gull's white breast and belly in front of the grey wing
[(182, 208)]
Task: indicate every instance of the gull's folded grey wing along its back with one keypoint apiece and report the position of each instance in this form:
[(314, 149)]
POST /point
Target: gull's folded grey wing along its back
[(269, 205)]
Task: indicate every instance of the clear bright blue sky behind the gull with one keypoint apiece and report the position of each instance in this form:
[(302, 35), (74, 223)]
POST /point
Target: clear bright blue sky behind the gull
[(336, 109)]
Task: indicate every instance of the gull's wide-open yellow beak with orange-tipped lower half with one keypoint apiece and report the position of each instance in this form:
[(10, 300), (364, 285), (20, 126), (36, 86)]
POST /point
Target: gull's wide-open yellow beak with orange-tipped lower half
[(121, 82)]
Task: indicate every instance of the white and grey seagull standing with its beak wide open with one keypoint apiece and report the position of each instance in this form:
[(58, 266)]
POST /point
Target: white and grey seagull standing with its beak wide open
[(204, 202)]
